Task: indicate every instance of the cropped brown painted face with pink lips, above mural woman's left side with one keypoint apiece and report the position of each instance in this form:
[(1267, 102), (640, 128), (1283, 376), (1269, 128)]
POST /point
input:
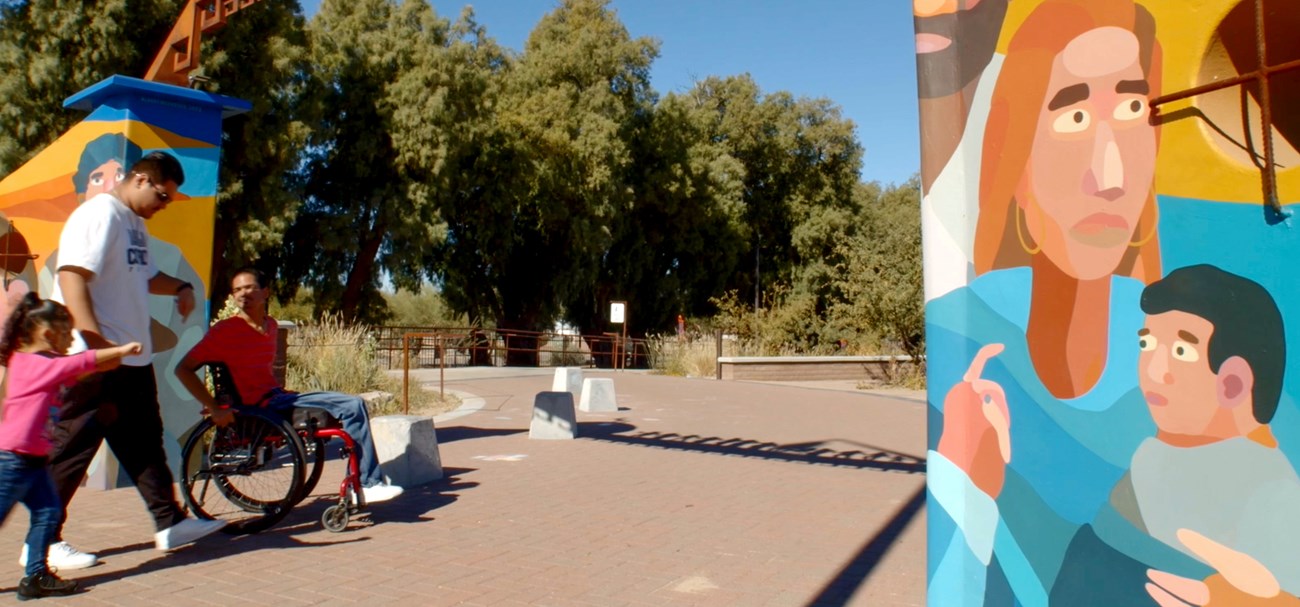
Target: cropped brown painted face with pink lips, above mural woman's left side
[(955, 42)]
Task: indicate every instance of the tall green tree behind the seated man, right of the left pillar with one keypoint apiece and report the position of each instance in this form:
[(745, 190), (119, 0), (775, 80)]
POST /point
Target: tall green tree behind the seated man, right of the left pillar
[(388, 85)]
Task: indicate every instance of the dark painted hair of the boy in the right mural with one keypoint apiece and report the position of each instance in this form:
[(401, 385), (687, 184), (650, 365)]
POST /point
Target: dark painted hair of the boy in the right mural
[(1247, 324)]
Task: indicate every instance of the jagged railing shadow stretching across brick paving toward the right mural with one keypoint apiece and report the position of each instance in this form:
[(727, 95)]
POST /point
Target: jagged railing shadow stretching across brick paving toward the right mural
[(807, 453)]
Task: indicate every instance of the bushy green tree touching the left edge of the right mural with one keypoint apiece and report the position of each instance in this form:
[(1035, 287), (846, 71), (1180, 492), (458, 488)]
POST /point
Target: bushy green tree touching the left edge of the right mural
[(881, 276)]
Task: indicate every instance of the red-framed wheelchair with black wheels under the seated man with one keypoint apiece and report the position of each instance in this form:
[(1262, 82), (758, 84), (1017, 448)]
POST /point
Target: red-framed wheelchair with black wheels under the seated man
[(253, 472)]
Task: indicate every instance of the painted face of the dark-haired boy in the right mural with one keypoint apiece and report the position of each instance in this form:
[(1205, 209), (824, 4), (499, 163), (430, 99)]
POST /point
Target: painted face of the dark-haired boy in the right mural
[(1175, 372)]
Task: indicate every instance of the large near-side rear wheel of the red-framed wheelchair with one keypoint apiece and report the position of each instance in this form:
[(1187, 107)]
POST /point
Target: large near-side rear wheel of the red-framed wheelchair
[(248, 474)]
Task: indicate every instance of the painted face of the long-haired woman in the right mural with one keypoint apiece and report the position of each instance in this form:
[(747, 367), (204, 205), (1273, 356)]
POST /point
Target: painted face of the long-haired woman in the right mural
[(1094, 155)]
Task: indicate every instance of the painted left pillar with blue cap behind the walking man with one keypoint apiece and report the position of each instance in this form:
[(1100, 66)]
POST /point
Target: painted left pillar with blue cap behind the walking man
[(128, 119)]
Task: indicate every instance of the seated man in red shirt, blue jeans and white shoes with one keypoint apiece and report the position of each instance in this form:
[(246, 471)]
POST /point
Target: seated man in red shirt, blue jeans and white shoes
[(246, 346)]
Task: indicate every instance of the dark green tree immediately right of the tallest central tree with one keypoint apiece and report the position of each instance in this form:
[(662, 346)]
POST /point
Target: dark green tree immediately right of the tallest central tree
[(682, 240)]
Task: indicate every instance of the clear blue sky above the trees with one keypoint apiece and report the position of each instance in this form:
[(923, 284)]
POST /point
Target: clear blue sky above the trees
[(856, 53)]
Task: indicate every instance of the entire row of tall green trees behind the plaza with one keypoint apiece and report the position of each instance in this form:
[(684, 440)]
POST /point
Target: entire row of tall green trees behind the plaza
[(392, 148)]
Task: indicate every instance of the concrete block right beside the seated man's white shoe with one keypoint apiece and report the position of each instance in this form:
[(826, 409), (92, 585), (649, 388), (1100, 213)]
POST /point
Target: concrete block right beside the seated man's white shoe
[(408, 446)]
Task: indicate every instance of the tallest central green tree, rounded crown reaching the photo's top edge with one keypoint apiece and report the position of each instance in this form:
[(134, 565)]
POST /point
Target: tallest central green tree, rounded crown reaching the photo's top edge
[(558, 155)]
